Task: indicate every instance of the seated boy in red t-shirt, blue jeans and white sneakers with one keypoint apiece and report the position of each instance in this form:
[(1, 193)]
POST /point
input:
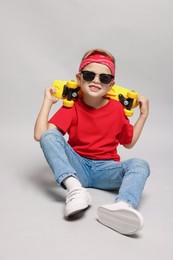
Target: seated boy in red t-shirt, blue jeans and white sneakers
[(96, 126)]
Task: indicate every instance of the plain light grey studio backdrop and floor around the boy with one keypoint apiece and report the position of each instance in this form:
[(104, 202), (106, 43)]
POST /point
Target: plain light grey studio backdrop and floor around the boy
[(43, 40)]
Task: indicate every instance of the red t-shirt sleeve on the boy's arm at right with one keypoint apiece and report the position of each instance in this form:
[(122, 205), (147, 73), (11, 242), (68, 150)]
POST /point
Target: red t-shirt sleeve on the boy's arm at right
[(126, 135)]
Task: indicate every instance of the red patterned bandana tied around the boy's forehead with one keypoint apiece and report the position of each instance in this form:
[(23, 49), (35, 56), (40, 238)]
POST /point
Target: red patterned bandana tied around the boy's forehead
[(98, 58)]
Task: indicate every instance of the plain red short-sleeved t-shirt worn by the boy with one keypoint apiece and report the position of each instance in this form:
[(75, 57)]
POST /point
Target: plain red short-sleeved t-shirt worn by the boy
[(95, 133)]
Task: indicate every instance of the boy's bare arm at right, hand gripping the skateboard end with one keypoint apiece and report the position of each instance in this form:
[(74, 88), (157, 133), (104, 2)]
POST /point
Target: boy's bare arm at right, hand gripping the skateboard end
[(144, 111)]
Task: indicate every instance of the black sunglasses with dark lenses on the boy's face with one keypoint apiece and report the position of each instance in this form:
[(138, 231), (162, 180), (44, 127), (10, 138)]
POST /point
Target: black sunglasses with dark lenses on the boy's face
[(104, 78)]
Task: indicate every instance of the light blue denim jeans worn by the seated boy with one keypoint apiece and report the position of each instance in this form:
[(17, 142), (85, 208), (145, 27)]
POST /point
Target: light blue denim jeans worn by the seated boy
[(128, 176)]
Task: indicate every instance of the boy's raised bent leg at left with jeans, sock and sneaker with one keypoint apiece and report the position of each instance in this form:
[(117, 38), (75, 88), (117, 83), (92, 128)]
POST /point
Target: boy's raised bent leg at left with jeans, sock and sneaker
[(60, 158)]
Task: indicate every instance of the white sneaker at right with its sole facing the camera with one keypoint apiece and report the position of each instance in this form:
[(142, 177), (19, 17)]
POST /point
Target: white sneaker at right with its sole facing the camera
[(121, 217)]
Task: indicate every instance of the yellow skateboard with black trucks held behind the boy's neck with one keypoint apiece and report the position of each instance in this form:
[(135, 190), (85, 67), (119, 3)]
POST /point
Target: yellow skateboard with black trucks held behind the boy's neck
[(69, 91)]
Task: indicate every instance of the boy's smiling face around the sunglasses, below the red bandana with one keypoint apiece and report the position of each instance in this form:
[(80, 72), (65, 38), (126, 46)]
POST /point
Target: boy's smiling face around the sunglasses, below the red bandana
[(95, 87)]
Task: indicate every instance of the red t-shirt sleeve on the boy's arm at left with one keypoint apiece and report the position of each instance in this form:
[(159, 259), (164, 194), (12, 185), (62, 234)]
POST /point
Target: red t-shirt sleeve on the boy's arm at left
[(62, 119)]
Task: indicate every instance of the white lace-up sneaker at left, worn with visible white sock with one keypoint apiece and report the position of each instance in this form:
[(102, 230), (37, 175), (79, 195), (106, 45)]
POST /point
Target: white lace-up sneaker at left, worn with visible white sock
[(77, 200)]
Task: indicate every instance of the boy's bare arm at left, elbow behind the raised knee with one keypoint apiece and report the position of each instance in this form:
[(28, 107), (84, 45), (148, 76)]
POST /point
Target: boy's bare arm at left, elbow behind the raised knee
[(41, 124)]
